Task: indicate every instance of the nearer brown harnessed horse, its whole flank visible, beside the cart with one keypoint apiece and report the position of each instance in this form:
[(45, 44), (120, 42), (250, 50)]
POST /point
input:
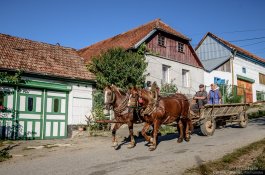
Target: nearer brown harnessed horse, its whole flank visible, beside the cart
[(167, 110)]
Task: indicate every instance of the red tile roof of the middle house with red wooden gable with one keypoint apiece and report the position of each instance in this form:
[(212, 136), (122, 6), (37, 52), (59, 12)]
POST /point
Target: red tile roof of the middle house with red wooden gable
[(128, 39)]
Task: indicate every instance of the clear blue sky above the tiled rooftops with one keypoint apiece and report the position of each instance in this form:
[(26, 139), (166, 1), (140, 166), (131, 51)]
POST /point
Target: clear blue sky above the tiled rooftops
[(79, 23)]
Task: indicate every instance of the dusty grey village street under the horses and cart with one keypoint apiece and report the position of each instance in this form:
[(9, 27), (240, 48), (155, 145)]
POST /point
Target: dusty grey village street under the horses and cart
[(95, 156)]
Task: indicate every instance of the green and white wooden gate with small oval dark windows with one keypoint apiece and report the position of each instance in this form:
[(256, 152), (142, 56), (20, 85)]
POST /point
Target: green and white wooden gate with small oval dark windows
[(34, 114)]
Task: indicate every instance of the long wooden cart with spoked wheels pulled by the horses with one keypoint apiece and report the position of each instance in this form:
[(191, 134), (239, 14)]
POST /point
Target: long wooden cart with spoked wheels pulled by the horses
[(221, 114)]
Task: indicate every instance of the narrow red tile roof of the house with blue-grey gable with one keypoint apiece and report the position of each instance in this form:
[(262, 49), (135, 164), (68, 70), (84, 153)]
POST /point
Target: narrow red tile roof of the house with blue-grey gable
[(232, 46)]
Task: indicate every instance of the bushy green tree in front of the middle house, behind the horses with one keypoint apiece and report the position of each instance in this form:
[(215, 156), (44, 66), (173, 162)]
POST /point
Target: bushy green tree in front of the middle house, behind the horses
[(120, 67)]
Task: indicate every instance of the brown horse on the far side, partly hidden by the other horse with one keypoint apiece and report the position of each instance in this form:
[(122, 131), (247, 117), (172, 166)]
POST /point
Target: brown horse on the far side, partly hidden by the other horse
[(118, 100)]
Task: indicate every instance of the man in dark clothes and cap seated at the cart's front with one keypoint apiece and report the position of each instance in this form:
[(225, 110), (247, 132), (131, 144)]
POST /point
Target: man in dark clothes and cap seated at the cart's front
[(201, 99)]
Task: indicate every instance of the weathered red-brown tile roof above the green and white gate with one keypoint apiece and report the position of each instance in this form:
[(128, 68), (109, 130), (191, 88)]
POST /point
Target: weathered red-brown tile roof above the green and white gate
[(41, 58)]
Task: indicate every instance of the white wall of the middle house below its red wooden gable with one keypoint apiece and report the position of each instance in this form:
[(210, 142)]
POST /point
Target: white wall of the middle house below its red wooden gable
[(154, 70)]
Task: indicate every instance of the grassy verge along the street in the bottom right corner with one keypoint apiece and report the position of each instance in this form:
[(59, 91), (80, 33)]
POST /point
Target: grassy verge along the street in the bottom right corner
[(226, 161)]
